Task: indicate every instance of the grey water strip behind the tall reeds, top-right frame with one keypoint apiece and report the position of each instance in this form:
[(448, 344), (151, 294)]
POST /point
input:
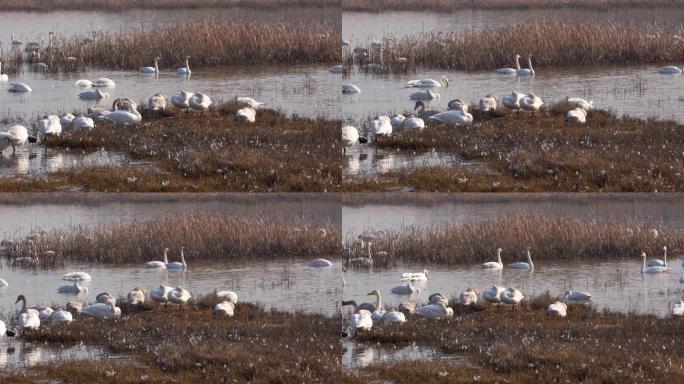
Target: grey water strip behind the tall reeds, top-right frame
[(359, 26)]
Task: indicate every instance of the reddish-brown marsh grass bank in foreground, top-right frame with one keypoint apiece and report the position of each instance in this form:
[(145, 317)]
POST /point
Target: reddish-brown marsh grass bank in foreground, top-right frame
[(543, 154)]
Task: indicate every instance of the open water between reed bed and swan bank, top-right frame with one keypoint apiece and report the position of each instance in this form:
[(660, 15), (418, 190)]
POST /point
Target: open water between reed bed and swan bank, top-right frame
[(637, 91)]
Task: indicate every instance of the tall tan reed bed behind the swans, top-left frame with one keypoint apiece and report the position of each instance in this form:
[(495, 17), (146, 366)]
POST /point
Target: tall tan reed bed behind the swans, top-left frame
[(208, 43)]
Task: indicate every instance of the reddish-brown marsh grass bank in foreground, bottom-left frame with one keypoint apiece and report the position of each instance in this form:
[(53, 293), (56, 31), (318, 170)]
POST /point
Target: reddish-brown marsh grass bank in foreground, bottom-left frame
[(193, 345)]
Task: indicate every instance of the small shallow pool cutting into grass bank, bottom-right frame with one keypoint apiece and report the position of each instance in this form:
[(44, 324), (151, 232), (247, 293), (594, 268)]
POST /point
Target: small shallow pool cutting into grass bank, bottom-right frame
[(360, 355)]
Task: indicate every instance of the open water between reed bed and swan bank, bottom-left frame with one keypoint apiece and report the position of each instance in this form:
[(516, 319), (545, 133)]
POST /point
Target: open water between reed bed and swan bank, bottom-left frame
[(285, 285)]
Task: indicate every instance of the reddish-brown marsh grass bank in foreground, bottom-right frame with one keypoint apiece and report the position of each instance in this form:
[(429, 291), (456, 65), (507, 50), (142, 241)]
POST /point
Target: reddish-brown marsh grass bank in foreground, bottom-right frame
[(525, 346)]
